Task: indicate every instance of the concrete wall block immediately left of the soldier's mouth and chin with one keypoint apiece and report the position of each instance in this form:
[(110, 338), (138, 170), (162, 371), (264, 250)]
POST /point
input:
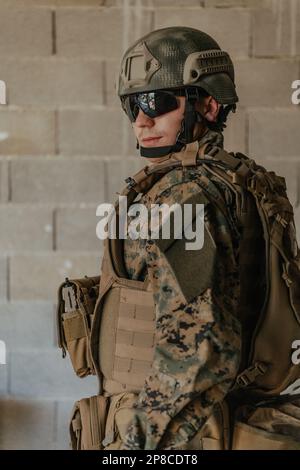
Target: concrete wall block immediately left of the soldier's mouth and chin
[(90, 132)]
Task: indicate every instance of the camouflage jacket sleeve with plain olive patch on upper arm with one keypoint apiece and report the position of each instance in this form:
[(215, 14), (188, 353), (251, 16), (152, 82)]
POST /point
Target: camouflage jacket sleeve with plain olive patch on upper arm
[(197, 348)]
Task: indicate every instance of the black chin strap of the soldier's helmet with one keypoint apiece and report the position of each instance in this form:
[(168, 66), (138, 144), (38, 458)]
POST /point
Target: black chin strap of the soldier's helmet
[(184, 136)]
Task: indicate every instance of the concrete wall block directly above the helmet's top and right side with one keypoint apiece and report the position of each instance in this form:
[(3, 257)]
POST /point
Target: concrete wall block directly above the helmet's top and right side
[(230, 27)]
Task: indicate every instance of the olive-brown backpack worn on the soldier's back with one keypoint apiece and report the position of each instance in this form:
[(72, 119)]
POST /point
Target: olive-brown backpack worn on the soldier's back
[(272, 363)]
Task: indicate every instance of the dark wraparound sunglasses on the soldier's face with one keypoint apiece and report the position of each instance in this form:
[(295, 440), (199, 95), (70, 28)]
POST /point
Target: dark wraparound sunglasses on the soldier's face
[(152, 103)]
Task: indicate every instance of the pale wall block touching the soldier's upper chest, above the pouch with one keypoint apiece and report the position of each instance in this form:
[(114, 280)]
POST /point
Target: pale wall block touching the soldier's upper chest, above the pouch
[(76, 229)]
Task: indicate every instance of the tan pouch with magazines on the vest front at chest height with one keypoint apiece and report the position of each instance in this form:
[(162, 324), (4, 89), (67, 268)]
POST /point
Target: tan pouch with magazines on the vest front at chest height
[(76, 303)]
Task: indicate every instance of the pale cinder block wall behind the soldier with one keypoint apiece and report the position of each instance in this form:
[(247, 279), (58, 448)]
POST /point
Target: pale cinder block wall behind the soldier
[(65, 147)]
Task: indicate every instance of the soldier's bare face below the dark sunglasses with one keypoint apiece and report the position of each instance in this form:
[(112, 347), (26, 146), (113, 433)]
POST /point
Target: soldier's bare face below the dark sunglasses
[(160, 131)]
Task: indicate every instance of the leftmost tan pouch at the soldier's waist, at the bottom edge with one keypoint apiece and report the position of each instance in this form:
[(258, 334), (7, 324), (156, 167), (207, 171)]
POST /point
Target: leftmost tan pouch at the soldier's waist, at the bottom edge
[(87, 426)]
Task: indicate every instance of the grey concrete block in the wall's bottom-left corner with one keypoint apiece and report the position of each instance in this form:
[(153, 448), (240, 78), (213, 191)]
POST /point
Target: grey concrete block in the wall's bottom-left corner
[(26, 424)]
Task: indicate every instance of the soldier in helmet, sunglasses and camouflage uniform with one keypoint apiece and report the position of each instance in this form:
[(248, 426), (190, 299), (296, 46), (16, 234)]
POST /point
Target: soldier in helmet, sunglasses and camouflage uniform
[(173, 327)]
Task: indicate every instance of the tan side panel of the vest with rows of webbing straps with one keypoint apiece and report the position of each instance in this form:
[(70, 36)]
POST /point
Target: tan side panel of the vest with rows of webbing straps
[(127, 360)]
